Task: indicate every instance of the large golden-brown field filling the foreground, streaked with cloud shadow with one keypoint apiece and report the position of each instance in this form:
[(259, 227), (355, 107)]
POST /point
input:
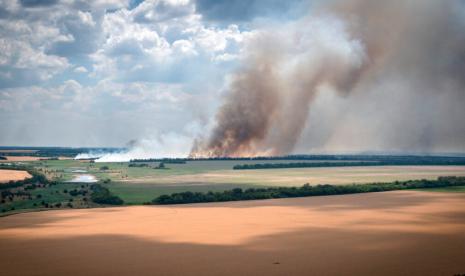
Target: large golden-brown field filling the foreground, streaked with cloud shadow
[(392, 233)]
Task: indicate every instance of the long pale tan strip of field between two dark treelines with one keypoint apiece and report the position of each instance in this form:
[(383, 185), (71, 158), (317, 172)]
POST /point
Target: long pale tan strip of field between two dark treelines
[(300, 176)]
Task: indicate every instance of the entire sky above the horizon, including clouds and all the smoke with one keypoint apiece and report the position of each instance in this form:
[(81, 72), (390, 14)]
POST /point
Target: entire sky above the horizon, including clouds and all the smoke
[(215, 78)]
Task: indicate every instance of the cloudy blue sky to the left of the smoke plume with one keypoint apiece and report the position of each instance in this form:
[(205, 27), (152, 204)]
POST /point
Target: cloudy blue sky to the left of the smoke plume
[(104, 72)]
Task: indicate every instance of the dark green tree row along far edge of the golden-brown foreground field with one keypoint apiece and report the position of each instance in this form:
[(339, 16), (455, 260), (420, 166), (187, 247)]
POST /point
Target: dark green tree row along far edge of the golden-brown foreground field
[(304, 191)]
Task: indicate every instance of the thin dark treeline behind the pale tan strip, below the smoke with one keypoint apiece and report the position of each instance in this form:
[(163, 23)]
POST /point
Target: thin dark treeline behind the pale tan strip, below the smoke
[(410, 162)]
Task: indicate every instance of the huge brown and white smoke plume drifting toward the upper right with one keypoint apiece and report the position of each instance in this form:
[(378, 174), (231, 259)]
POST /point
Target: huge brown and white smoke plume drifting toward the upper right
[(356, 48)]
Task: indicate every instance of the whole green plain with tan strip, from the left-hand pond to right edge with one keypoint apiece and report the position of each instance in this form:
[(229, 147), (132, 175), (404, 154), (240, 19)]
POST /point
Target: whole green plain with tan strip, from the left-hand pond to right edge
[(136, 185)]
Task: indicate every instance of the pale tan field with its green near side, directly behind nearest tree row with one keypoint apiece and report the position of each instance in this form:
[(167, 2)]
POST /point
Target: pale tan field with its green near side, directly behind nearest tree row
[(140, 190)]
